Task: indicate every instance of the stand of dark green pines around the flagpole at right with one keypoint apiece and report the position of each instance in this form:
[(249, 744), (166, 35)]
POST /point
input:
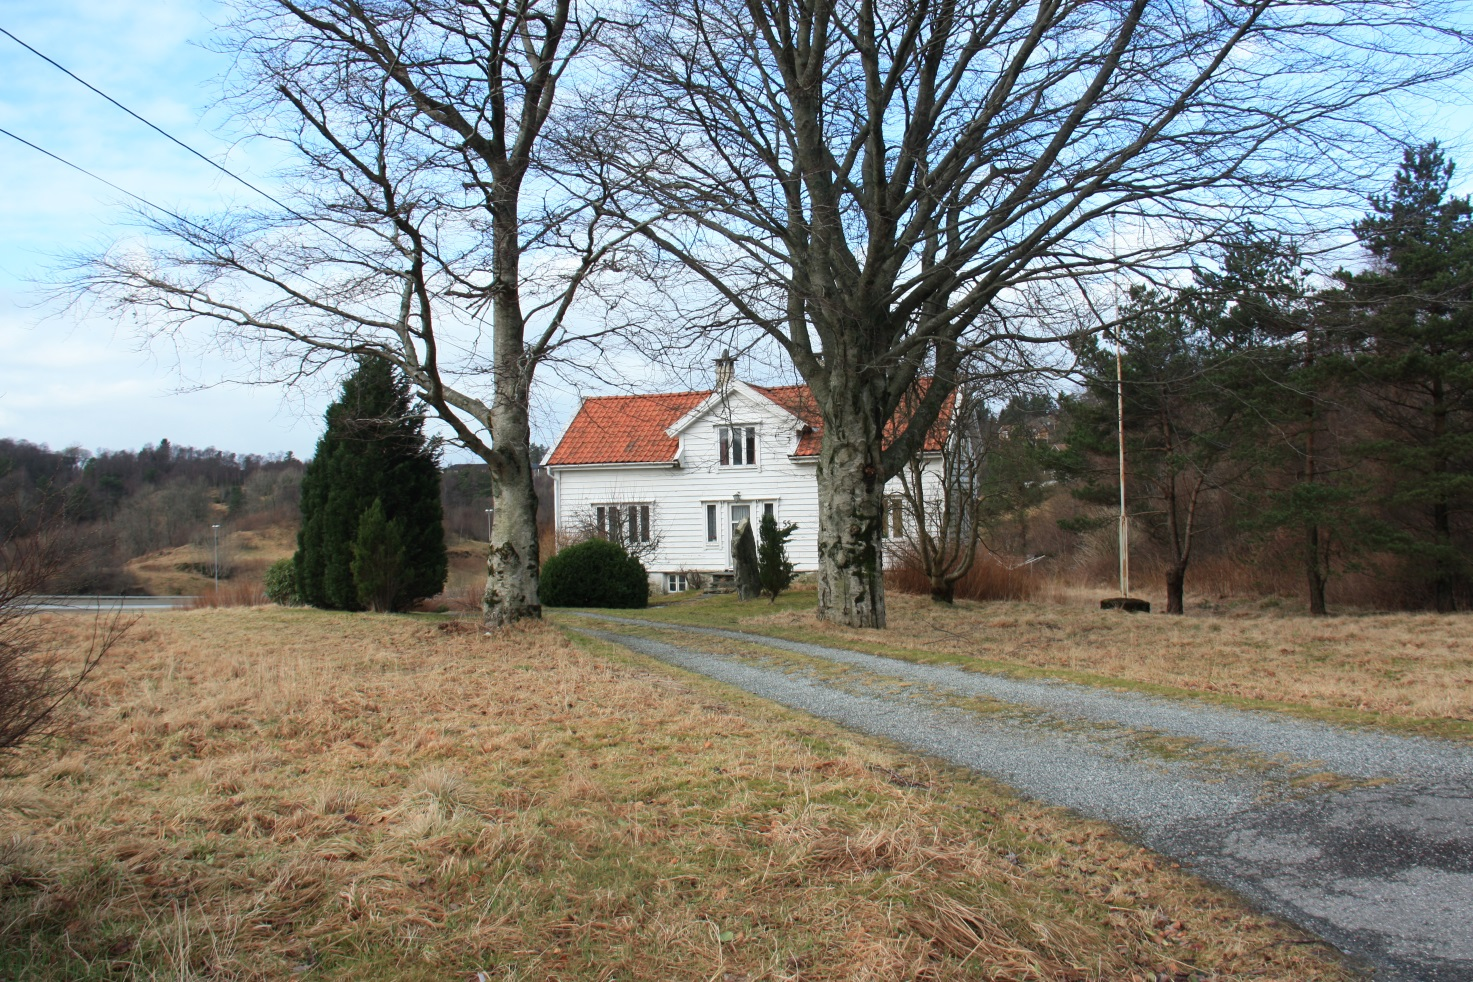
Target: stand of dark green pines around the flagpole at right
[(1335, 419)]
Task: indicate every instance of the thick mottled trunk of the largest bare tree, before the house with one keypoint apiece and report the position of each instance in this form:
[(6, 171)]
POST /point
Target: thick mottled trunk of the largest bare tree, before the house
[(852, 587)]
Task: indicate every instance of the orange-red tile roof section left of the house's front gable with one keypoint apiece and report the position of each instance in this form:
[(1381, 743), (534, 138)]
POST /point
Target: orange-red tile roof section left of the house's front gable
[(625, 429)]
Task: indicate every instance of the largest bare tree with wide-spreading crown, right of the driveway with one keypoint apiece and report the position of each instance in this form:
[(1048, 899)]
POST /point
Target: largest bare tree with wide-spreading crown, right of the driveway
[(882, 188)]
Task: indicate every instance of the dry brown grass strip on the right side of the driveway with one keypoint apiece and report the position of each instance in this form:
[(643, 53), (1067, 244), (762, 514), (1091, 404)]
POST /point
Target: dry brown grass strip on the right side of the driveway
[(1406, 671)]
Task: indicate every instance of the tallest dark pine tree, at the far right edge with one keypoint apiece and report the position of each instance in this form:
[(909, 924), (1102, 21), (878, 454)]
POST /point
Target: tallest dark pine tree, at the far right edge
[(1412, 358)]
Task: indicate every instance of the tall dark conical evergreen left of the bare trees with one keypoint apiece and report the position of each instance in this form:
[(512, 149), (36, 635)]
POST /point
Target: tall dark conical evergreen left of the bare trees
[(373, 451)]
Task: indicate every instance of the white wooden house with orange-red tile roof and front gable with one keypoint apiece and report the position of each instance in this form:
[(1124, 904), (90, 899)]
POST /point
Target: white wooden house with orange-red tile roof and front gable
[(672, 475)]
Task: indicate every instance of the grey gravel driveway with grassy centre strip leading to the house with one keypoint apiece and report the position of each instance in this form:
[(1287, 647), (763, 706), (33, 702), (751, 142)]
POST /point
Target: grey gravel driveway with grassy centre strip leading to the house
[(1360, 837)]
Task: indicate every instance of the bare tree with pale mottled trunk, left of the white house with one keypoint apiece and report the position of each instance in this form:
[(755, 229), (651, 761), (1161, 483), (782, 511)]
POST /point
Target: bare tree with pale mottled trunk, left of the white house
[(419, 201)]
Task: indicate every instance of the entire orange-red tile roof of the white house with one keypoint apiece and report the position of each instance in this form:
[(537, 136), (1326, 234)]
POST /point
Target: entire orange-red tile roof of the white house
[(631, 429)]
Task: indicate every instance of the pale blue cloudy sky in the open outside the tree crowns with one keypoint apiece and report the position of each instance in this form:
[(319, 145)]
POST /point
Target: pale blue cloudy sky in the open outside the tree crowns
[(82, 379)]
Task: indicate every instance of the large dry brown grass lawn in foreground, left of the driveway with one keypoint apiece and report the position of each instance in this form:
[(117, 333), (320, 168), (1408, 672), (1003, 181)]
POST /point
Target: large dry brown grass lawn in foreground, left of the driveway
[(266, 794)]
